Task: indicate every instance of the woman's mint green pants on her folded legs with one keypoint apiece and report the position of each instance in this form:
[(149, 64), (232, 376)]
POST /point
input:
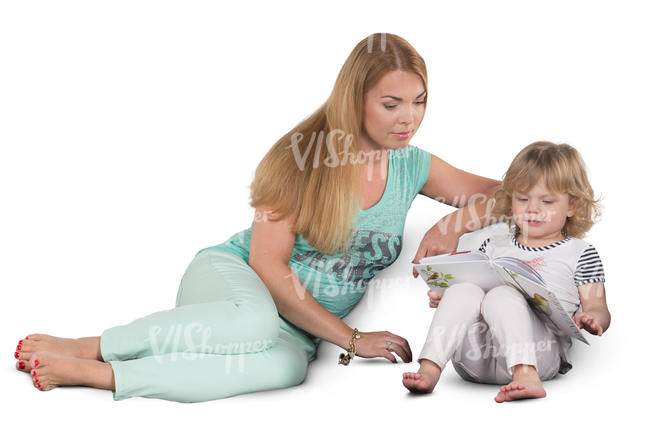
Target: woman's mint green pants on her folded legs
[(224, 338)]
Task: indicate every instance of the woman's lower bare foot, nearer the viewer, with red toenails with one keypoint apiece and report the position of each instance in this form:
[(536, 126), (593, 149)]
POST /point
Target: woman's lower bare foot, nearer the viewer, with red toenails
[(50, 370)]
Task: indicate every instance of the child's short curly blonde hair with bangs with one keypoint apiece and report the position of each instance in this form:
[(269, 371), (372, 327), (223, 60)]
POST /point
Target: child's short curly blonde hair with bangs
[(563, 171)]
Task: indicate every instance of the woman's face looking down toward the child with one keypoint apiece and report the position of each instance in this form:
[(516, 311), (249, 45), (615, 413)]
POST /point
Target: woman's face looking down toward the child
[(393, 110)]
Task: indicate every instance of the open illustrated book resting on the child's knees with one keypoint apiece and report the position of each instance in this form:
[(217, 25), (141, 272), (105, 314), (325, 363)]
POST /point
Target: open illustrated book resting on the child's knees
[(440, 272)]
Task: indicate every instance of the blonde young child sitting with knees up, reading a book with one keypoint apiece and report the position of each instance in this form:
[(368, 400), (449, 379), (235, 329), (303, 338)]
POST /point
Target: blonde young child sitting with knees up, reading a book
[(494, 336)]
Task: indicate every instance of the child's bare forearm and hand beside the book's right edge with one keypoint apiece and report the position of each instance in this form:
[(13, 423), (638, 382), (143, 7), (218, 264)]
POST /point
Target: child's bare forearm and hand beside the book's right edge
[(594, 317)]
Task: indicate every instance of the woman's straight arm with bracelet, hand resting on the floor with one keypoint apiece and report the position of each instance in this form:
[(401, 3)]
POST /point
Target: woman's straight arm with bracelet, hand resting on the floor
[(270, 250)]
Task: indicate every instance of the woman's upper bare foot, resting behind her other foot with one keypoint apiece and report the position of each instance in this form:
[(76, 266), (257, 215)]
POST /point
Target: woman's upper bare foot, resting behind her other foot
[(84, 348)]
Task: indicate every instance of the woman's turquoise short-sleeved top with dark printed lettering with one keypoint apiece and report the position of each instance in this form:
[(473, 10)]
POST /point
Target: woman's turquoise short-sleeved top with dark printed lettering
[(339, 281)]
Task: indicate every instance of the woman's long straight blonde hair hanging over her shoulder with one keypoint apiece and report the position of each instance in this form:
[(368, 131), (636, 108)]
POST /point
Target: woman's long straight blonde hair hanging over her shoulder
[(300, 180)]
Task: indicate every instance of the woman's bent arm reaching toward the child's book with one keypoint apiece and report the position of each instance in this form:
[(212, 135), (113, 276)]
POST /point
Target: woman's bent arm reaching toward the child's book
[(458, 188)]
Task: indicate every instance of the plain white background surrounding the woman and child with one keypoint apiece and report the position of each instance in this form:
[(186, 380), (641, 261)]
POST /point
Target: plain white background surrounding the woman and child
[(130, 131)]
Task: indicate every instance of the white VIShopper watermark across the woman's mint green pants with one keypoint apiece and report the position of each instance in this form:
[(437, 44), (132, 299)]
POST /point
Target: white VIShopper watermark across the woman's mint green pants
[(194, 340)]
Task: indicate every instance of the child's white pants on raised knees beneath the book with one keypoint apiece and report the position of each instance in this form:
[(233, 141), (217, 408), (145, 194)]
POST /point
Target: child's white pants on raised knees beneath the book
[(488, 334)]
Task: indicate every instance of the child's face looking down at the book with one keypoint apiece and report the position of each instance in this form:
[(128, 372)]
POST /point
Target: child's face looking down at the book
[(540, 214)]
